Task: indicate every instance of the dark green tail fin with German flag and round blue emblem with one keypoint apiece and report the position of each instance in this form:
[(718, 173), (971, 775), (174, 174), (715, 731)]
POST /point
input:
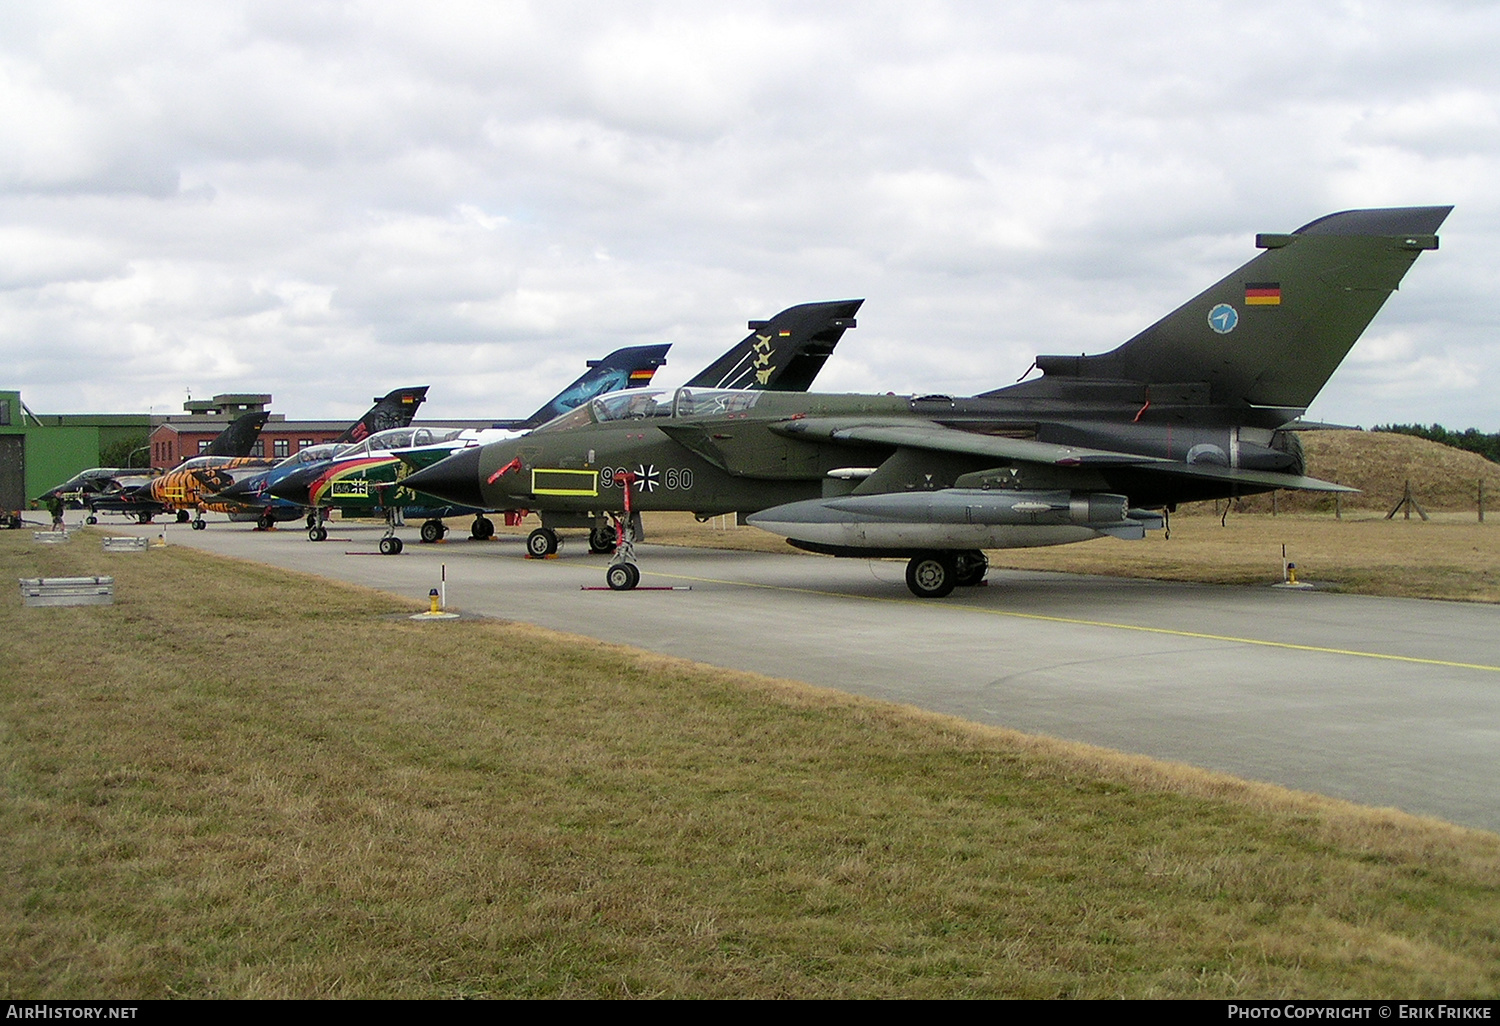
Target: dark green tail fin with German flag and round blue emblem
[(1274, 332)]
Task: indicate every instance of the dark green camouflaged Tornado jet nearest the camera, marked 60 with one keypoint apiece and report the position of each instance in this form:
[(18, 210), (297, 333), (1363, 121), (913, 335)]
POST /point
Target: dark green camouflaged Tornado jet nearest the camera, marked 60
[(1199, 406)]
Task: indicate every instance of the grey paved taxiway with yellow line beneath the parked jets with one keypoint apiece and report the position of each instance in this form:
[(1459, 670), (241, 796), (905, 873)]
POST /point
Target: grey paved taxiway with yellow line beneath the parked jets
[(1381, 701)]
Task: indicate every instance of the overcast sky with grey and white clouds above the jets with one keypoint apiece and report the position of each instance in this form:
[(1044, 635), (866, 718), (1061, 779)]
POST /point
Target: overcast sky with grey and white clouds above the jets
[(331, 200)]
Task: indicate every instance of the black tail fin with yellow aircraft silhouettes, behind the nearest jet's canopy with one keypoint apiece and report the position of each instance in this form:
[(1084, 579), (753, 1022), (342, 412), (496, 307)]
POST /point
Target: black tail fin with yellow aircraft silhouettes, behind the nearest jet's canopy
[(785, 353)]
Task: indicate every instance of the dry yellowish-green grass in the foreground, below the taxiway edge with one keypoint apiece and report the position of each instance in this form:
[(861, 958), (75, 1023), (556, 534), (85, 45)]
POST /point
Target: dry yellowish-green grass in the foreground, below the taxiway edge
[(242, 782)]
